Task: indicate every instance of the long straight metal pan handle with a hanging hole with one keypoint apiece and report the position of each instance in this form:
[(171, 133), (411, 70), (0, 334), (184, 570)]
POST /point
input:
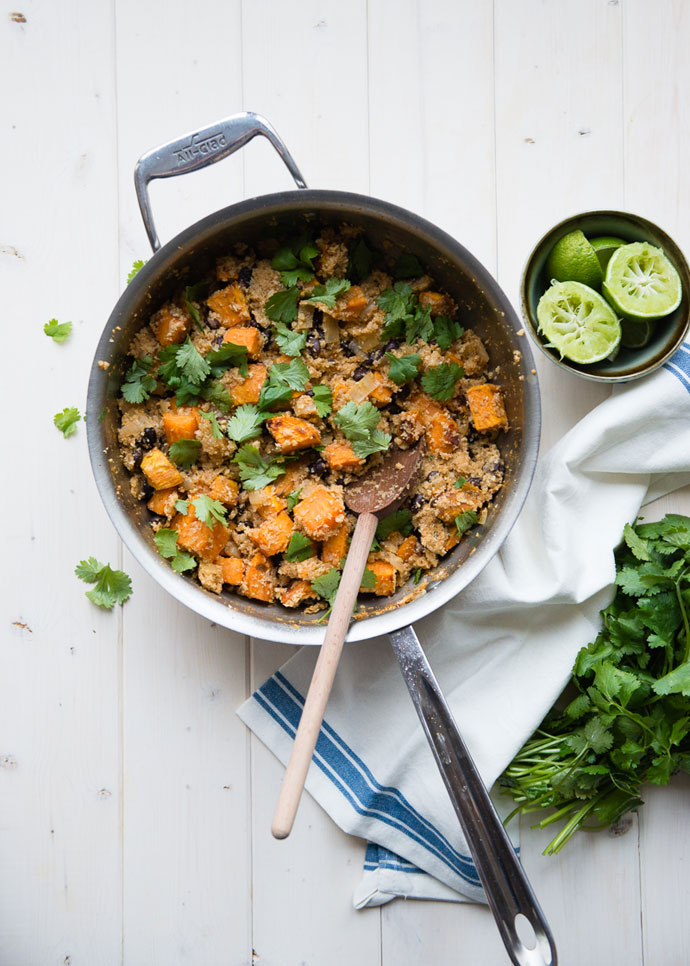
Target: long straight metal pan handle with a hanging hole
[(507, 888)]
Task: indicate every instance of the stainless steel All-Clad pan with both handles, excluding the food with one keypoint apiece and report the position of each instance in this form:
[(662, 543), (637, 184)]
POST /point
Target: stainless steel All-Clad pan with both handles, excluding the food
[(484, 307)]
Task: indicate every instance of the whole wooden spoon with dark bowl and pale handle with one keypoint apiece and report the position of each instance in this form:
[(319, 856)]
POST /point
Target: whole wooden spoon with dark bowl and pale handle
[(384, 489)]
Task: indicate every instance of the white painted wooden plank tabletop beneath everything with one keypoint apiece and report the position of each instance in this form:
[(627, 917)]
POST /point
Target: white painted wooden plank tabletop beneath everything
[(134, 806)]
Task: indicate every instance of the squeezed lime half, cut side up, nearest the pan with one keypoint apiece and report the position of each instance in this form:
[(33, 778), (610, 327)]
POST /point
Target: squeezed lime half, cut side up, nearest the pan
[(578, 322)]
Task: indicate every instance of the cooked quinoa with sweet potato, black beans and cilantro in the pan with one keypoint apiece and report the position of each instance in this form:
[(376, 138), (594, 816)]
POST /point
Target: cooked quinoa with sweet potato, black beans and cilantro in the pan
[(257, 394)]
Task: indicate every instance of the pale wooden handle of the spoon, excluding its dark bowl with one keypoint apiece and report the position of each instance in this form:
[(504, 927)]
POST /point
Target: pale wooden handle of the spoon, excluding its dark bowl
[(322, 679)]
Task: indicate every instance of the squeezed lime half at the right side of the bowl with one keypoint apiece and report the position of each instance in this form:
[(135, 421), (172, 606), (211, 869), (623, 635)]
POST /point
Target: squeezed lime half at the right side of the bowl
[(641, 283)]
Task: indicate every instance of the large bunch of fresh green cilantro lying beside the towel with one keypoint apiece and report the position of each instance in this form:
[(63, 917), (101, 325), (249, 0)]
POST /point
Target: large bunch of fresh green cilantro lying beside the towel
[(630, 721)]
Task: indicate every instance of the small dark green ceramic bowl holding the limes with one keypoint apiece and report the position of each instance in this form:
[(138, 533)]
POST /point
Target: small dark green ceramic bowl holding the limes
[(668, 332)]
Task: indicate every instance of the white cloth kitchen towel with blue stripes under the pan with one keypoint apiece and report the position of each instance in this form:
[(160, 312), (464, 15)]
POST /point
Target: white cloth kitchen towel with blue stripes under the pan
[(502, 650)]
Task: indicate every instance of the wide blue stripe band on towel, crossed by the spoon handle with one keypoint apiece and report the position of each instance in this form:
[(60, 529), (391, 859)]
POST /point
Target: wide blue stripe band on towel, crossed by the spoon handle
[(357, 784)]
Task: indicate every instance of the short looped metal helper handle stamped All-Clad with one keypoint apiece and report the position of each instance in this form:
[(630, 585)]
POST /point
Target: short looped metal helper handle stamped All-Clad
[(197, 150)]
